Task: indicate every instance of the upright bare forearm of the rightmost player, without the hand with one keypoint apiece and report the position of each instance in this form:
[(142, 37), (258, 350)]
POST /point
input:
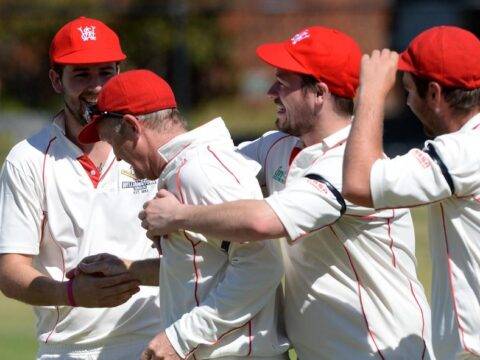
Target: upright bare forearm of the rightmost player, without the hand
[(364, 147)]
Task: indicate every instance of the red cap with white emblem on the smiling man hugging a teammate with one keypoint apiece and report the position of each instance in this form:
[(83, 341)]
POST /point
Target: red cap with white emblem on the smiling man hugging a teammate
[(327, 54)]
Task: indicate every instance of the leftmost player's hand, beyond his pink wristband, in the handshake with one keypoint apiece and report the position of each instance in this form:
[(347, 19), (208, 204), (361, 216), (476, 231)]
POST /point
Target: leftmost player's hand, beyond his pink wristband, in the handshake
[(94, 291)]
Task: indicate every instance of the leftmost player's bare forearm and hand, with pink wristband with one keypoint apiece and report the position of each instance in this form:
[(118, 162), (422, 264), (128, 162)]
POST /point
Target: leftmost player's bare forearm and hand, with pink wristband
[(21, 281)]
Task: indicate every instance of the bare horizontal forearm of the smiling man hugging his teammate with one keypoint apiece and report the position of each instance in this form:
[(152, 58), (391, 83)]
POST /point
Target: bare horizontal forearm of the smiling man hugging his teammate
[(238, 221)]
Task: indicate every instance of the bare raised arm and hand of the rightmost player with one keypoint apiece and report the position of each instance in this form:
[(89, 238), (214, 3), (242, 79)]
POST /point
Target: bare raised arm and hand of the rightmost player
[(364, 145)]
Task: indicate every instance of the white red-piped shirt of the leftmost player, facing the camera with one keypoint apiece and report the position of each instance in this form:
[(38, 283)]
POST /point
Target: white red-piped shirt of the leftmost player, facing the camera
[(50, 209)]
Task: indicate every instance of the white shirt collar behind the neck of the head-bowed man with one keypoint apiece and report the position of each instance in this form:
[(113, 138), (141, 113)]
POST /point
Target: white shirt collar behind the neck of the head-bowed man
[(214, 131)]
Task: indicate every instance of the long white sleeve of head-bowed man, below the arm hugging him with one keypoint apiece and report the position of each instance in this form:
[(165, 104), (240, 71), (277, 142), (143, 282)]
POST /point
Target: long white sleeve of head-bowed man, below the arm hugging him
[(252, 277)]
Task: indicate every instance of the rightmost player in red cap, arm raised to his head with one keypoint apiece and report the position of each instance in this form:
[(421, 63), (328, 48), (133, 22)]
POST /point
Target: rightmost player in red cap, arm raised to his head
[(441, 74)]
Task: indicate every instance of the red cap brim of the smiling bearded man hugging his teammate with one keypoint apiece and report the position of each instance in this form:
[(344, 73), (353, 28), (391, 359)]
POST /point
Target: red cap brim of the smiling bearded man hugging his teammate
[(276, 54)]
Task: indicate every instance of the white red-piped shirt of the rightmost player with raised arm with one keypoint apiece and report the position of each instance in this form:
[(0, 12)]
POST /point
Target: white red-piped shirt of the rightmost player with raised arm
[(416, 179)]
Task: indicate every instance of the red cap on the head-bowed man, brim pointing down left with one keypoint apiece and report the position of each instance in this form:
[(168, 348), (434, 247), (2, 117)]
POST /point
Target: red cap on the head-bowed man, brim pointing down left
[(135, 92)]
